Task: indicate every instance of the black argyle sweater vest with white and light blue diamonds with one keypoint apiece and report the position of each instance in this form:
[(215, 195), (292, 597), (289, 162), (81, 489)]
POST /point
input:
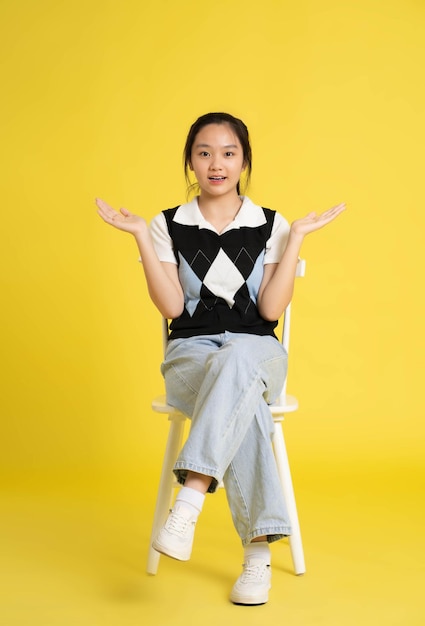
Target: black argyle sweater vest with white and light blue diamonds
[(220, 275)]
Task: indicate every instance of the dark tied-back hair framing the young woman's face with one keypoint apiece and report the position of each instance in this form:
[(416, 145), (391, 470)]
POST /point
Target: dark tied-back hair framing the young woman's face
[(238, 127)]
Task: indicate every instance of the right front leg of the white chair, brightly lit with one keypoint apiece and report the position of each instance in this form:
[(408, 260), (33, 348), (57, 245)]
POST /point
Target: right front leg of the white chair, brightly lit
[(282, 462)]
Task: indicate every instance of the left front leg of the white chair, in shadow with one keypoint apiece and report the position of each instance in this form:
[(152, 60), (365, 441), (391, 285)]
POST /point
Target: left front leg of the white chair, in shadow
[(165, 490)]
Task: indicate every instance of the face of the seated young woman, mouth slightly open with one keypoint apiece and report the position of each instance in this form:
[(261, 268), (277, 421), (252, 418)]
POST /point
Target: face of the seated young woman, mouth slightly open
[(217, 160)]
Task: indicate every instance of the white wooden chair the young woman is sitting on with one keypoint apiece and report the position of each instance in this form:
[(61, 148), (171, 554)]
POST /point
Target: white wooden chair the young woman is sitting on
[(285, 404)]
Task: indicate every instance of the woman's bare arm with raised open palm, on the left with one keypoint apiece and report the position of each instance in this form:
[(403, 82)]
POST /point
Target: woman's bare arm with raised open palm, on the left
[(162, 278)]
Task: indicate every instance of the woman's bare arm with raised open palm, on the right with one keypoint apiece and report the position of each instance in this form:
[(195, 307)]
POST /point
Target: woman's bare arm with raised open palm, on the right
[(277, 285)]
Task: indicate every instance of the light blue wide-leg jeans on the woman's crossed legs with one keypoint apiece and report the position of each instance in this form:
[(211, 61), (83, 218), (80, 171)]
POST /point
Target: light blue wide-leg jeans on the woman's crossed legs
[(224, 383)]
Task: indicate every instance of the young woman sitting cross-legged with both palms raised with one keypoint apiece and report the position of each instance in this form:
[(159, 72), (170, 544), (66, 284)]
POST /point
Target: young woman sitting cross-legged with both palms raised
[(222, 269)]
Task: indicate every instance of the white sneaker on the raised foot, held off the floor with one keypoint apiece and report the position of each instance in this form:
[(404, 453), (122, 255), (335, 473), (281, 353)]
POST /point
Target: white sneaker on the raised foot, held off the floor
[(175, 538)]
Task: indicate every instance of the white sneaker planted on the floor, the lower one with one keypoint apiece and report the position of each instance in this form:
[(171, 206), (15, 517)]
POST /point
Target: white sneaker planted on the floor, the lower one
[(252, 586)]
